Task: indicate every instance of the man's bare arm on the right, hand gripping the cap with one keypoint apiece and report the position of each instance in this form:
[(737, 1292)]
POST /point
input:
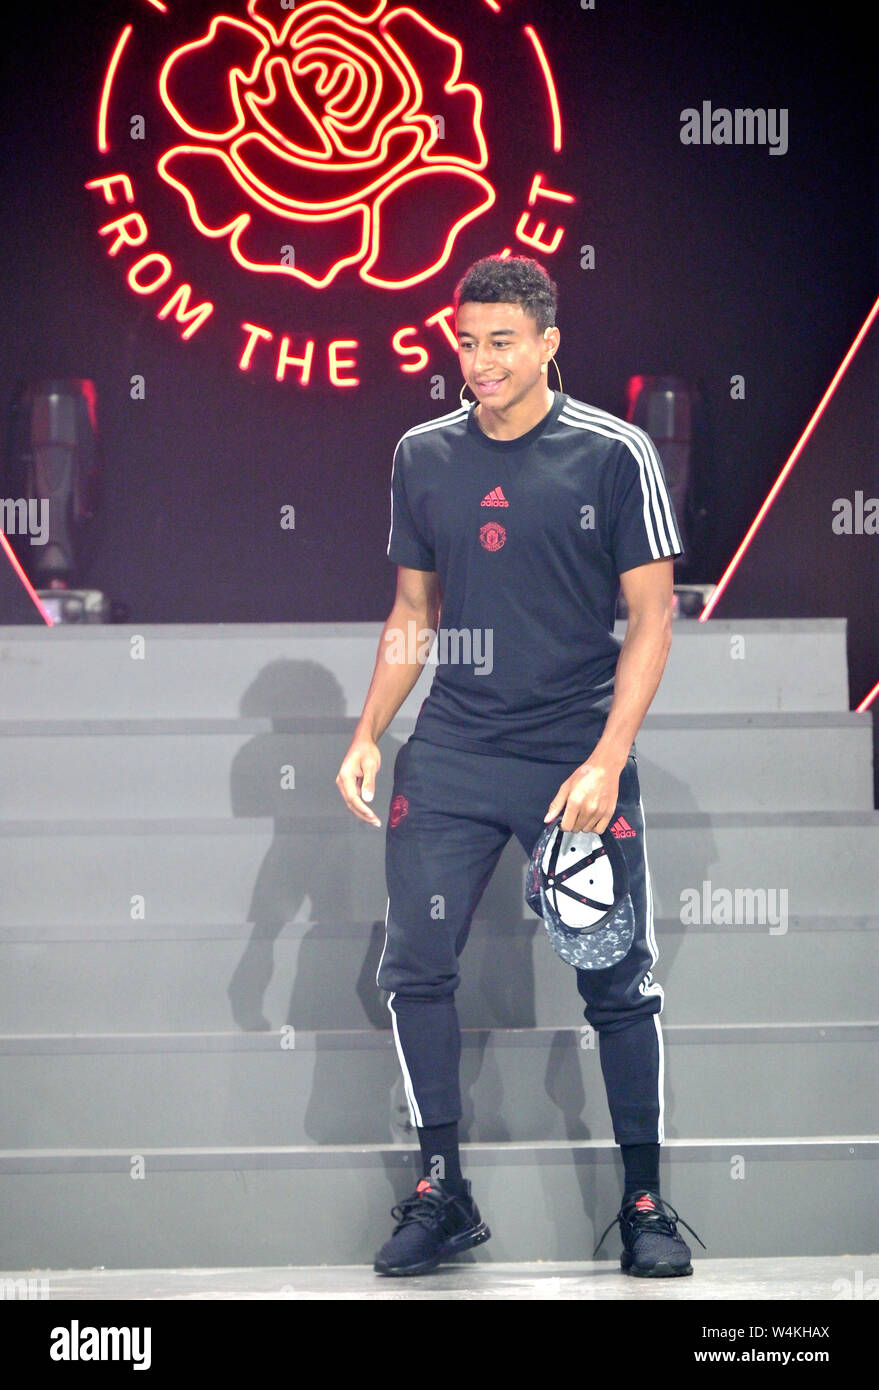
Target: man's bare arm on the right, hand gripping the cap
[(590, 794)]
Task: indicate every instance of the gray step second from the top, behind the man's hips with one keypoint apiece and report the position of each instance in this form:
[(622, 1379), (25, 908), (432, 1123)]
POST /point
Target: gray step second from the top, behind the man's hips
[(152, 769)]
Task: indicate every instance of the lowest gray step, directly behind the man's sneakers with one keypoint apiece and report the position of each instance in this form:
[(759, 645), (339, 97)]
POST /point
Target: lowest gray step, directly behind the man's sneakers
[(307, 1207)]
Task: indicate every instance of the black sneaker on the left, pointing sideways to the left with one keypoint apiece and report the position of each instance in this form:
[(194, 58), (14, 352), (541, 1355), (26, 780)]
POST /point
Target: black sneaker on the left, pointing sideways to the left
[(432, 1225)]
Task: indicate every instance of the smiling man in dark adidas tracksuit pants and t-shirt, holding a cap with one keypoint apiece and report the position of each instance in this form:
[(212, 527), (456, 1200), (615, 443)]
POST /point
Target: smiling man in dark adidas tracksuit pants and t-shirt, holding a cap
[(521, 515)]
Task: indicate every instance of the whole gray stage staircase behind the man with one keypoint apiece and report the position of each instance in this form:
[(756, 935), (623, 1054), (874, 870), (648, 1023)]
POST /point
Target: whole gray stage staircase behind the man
[(197, 1067)]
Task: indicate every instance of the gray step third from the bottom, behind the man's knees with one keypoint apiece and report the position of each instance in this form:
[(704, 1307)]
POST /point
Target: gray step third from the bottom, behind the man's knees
[(81, 979)]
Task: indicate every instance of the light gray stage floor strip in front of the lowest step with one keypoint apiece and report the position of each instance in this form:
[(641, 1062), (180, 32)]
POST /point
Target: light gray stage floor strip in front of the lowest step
[(841, 1278)]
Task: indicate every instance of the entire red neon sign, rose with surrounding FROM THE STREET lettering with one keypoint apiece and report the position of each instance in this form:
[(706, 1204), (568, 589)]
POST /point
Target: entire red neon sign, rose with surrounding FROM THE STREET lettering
[(326, 130)]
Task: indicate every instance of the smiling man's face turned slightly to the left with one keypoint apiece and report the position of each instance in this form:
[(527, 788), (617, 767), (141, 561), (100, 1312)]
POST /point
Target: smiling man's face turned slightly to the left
[(501, 352)]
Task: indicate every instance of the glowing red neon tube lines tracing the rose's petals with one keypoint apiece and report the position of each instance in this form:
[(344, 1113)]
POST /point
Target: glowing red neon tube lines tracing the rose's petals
[(404, 124)]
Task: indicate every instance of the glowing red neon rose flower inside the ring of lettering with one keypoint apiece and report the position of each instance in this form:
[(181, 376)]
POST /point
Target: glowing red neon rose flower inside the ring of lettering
[(325, 131)]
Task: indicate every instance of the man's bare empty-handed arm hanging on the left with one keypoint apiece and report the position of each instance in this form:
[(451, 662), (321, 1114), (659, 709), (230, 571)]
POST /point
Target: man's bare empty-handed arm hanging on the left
[(417, 601)]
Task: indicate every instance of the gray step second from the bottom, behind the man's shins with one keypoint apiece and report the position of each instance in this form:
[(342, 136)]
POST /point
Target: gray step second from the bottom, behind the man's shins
[(296, 1088)]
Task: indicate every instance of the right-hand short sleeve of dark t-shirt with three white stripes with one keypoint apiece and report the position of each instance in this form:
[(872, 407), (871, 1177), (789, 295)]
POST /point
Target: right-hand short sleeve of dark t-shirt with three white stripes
[(643, 522)]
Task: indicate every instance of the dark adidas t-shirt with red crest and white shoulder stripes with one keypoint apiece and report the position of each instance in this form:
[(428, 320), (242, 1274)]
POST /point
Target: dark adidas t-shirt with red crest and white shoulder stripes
[(528, 539)]
